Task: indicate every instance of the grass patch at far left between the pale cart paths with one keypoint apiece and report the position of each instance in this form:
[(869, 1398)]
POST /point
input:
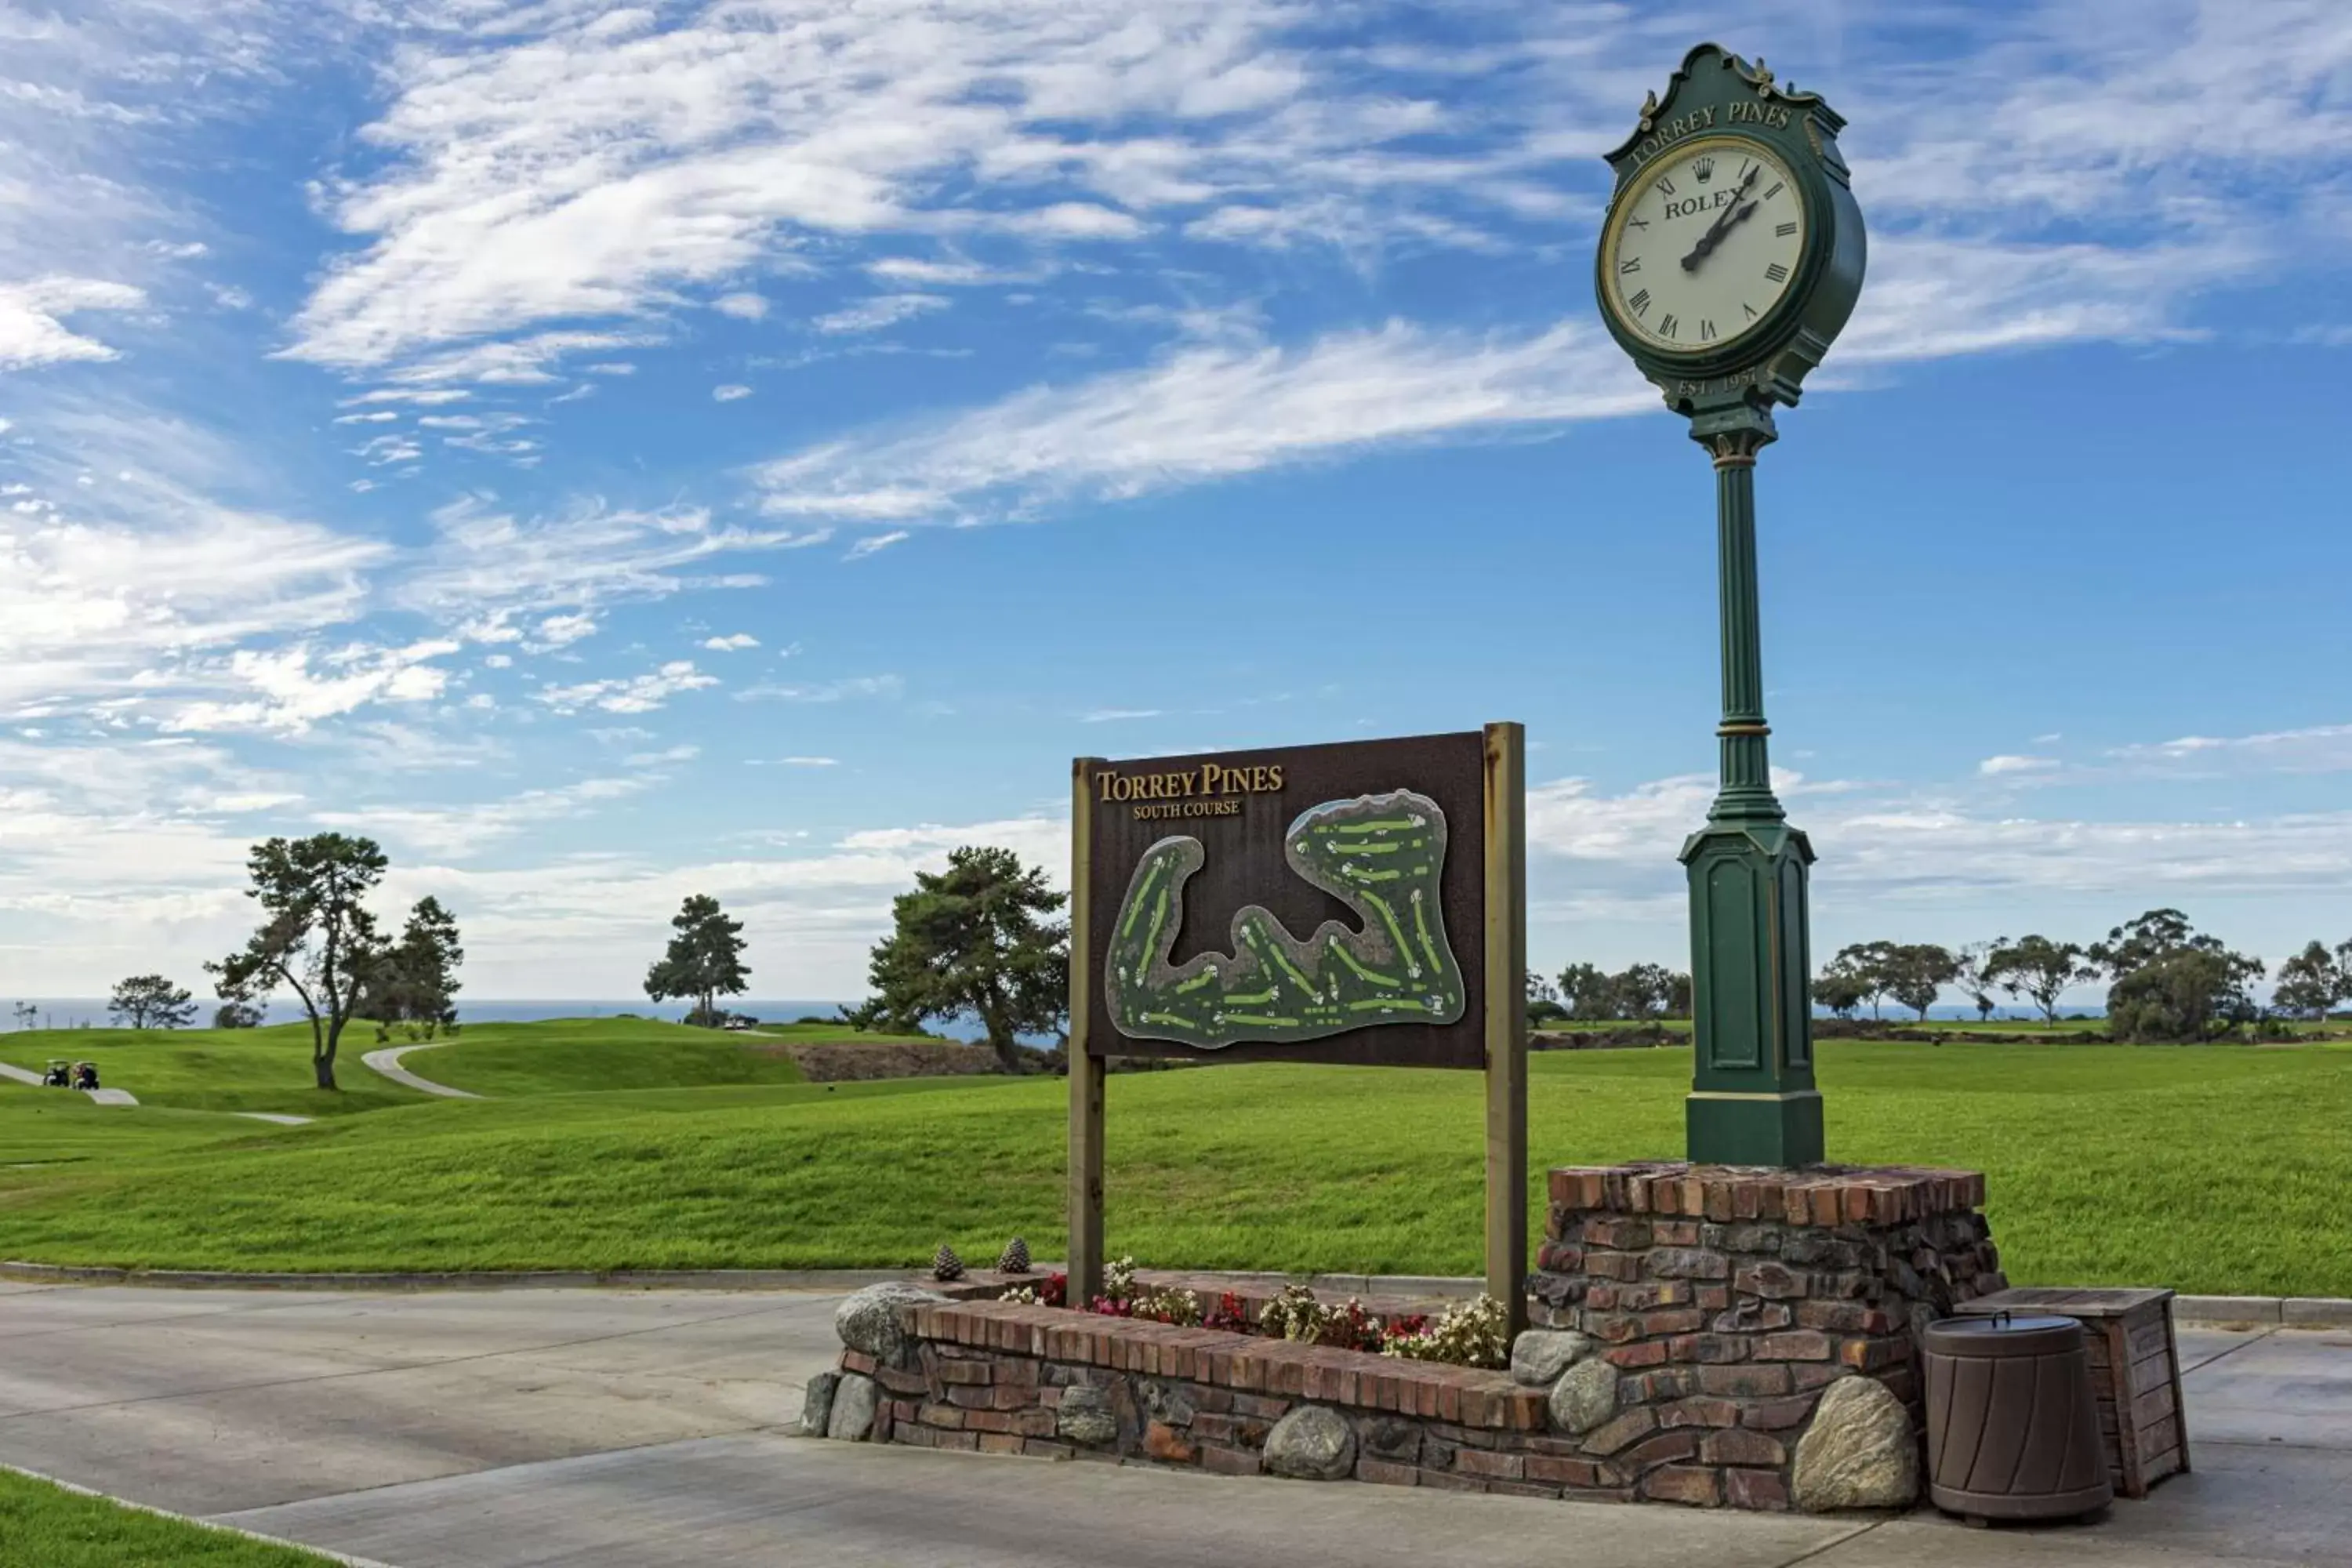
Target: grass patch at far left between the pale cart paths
[(218, 1068)]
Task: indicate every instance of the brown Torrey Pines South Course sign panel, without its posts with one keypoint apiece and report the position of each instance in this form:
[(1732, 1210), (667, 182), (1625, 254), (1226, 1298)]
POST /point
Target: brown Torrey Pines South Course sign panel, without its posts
[(1314, 904)]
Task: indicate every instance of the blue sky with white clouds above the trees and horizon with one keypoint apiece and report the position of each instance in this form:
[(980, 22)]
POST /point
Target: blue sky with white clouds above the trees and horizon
[(615, 453)]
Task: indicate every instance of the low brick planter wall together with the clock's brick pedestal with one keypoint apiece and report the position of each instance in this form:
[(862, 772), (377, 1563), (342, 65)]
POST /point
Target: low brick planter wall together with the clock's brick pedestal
[(1718, 1301)]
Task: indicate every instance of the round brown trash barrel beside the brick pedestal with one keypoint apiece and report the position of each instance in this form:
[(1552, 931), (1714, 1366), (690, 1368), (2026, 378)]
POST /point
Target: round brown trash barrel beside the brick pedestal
[(2012, 1423)]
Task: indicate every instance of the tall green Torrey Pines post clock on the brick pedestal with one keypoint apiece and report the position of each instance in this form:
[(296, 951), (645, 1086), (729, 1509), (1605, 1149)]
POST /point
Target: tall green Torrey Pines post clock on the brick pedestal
[(1730, 260)]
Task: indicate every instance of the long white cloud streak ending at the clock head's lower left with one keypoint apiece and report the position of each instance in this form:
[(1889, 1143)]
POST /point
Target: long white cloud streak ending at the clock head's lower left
[(1210, 413)]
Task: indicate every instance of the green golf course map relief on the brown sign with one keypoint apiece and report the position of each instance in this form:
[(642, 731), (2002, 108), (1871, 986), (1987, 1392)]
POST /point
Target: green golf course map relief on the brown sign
[(1379, 855)]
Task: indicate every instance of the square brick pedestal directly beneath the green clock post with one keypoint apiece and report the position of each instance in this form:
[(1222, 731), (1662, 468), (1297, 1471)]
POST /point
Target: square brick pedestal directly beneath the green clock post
[(1730, 1296)]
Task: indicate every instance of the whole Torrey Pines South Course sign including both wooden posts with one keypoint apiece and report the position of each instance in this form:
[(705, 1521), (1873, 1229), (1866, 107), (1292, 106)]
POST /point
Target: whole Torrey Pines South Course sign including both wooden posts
[(1325, 904)]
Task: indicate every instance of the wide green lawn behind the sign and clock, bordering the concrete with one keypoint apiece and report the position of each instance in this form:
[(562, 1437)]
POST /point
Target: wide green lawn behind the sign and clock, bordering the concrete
[(2205, 1170)]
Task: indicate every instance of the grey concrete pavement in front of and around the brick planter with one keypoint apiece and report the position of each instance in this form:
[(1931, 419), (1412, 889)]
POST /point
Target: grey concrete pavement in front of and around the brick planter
[(650, 1430)]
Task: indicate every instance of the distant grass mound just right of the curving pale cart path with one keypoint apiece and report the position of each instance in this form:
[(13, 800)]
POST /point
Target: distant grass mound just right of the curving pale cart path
[(599, 1054)]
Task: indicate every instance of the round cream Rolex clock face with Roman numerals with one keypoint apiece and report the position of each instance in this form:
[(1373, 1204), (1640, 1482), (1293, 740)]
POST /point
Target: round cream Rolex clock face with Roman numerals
[(1702, 246)]
